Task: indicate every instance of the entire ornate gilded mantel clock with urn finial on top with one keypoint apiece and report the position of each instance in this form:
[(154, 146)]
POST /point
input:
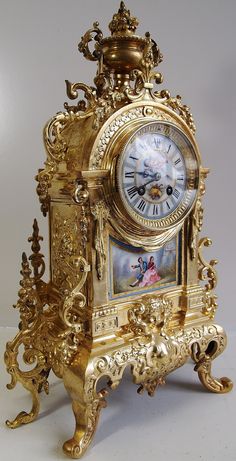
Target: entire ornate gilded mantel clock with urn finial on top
[(122, 186)]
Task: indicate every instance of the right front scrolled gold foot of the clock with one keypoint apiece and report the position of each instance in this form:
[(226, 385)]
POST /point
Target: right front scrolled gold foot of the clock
[(203, 367)]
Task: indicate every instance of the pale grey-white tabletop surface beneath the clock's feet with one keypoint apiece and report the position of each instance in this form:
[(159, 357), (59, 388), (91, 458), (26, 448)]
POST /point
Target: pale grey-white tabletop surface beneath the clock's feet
[(182, 422)]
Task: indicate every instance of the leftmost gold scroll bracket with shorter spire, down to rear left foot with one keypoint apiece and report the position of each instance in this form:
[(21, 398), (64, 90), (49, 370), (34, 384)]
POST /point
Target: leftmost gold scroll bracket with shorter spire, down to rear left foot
[(31, 310)]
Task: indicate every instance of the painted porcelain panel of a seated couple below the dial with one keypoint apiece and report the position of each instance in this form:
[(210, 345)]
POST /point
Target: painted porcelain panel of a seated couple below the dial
[(133, 269)]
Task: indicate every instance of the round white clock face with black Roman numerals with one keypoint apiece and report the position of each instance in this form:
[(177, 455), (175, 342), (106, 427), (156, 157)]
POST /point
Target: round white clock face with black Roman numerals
[(158, 175)]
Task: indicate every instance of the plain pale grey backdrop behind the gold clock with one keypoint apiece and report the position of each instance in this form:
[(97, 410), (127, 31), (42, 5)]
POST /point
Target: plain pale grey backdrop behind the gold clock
[(39, 51)]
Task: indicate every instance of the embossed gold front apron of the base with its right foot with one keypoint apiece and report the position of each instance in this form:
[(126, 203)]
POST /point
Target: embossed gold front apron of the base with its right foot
[(151, 360)]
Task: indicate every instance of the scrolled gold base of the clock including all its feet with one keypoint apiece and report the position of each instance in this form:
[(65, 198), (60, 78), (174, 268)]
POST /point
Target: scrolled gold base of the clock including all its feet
[(151, 358)]
